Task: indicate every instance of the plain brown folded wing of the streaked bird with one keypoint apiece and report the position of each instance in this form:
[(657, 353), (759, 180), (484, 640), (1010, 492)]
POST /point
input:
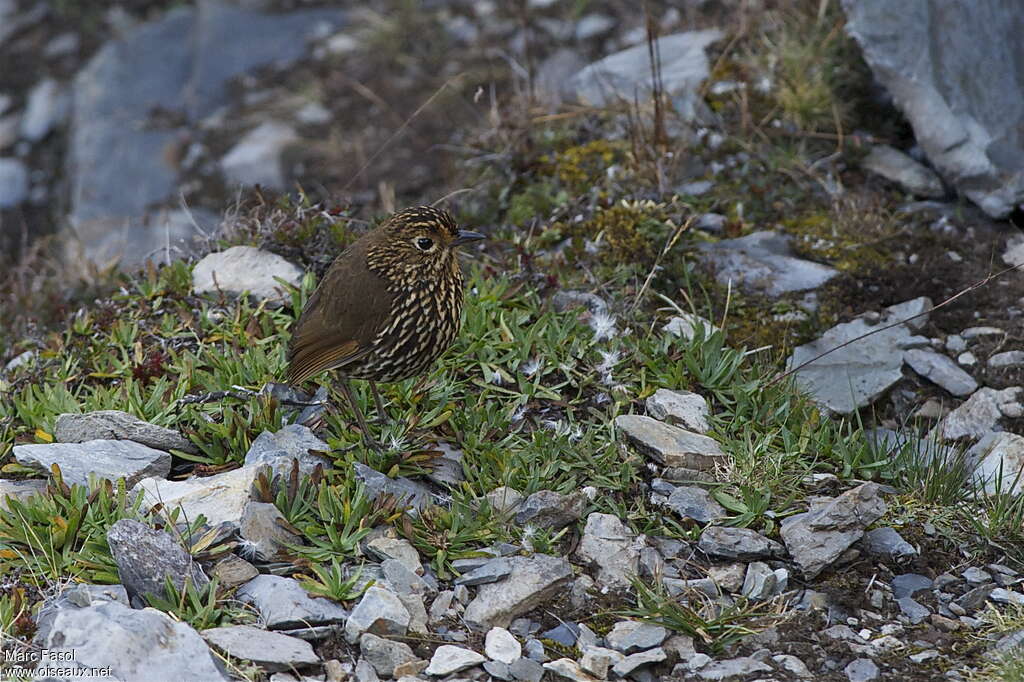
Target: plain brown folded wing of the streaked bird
[(340, 320)]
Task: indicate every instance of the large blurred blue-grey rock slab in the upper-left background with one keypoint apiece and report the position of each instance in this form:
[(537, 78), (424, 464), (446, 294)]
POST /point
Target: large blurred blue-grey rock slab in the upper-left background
[(180, 63)]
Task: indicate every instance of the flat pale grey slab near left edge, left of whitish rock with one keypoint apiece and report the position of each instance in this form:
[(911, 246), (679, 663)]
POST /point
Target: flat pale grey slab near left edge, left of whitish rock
[(106, 459)]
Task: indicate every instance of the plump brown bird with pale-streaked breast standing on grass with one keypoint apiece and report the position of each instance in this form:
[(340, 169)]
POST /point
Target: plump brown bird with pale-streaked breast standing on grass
[(388, 308)]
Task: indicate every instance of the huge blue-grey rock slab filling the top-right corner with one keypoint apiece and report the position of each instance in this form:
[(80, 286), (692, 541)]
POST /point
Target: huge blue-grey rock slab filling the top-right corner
[(955, 71)]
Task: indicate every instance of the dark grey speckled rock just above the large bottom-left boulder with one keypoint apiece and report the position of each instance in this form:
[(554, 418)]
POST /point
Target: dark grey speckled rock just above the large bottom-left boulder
[(147, 558)]
